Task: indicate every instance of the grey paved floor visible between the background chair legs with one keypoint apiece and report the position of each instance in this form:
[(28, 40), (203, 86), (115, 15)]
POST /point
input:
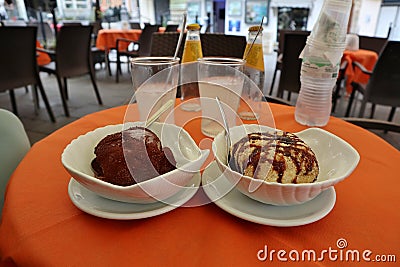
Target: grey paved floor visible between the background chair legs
[(82, 101)]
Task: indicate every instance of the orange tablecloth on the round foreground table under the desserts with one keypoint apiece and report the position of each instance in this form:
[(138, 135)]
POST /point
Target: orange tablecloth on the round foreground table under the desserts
[(41, 226)]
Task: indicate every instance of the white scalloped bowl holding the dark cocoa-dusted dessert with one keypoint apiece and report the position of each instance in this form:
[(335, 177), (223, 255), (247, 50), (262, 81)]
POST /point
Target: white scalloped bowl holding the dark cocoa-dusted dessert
[(78, 155)]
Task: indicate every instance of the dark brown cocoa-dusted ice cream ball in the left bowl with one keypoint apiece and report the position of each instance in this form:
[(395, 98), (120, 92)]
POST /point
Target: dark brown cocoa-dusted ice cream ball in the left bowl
[(131, 156)]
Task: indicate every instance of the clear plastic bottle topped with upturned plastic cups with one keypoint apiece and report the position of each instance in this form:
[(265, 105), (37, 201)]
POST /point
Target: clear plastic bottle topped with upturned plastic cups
[(321, 60)]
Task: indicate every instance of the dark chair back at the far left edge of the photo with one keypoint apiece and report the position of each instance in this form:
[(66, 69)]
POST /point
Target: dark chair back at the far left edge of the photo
[(18, 65)]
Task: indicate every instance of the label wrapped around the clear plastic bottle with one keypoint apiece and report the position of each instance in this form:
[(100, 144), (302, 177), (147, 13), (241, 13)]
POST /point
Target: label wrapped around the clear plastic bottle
[(315, 69)]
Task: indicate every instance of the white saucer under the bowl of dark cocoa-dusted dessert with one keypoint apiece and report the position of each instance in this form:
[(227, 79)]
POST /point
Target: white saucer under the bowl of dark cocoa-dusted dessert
[(96, 205)]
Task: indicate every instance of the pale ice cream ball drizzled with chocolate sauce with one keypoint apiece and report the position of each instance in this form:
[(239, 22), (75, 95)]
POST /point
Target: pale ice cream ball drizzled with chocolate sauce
[(280, 157)]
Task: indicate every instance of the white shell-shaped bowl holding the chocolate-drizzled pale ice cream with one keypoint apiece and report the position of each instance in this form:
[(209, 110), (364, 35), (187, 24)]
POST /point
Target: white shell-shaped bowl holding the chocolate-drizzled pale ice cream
[(336, 159)]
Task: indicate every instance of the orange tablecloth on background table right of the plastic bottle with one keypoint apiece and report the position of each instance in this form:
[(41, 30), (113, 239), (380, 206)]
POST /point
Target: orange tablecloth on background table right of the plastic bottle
[(367, 58)]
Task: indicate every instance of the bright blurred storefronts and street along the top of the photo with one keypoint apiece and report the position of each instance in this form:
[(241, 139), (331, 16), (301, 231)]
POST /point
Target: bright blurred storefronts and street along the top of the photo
[(378, 18)]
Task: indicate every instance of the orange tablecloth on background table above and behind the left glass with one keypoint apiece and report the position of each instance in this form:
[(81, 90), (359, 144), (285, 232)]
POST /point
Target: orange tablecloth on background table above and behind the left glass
[(107, 38)]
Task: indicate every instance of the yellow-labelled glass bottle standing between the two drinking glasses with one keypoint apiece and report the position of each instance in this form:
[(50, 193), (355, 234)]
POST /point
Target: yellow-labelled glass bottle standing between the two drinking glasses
[(191, 52)]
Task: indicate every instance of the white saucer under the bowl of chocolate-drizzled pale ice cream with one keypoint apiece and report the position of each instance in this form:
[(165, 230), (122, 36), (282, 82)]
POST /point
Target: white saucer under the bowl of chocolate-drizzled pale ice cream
[(215, 185)]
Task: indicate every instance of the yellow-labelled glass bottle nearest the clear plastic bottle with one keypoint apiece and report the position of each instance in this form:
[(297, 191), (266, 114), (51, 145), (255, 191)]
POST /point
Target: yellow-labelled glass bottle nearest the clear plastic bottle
[(252, 93)]
